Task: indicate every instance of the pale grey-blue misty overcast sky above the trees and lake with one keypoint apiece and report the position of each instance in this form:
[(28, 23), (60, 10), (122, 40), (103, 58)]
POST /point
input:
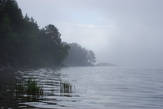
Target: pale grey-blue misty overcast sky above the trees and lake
[(123, 32)]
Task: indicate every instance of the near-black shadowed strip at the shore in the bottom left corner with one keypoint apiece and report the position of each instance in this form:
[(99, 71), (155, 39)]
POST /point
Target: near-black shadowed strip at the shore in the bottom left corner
[(7, 87)]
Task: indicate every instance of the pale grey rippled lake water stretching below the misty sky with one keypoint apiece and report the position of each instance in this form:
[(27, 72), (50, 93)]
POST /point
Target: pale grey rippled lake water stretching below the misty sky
[(97, 88)]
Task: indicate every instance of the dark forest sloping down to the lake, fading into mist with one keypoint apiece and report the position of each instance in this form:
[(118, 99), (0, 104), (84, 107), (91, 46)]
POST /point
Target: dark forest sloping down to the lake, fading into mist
[(24, 43)]
